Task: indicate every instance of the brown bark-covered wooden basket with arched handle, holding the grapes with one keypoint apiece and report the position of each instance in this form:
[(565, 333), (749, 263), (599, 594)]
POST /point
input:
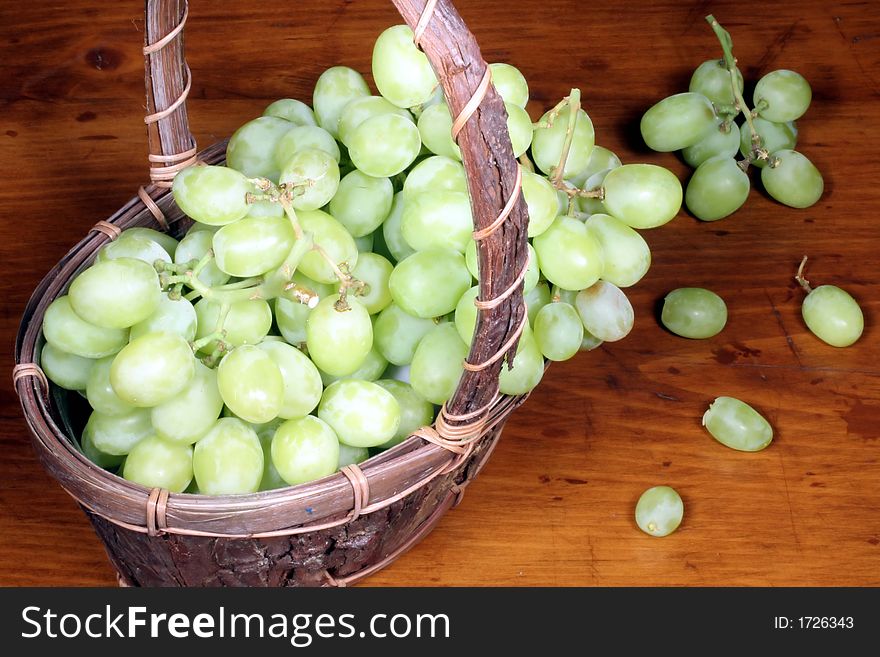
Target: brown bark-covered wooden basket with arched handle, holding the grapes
[(339, 529)]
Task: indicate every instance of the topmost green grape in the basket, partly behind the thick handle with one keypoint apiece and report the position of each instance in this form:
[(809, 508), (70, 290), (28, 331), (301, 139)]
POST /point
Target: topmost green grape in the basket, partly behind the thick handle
[(401, 71)]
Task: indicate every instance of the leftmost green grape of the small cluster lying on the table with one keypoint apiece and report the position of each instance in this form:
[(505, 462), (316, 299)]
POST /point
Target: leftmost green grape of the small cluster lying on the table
[(677, 122)]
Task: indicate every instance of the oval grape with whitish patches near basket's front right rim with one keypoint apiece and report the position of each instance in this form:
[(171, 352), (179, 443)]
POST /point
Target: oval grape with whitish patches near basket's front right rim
[(361, 413)]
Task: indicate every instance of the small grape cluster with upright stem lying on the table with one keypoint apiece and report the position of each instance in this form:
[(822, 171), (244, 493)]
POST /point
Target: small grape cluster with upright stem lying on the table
[(701, 123)]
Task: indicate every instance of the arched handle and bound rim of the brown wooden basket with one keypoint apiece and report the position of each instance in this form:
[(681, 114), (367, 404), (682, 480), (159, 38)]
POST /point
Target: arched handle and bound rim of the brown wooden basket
[(431, 451)]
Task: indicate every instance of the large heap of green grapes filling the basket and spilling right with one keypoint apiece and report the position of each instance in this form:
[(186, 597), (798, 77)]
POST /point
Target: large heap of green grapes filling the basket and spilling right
[(322, 303)]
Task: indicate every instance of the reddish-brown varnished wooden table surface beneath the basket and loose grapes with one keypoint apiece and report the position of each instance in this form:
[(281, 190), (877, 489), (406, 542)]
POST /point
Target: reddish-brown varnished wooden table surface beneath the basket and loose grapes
[(555, 504)]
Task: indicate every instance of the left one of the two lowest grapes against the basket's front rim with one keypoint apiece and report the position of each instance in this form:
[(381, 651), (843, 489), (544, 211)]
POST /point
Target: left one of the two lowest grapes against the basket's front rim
[(158, 463)]
